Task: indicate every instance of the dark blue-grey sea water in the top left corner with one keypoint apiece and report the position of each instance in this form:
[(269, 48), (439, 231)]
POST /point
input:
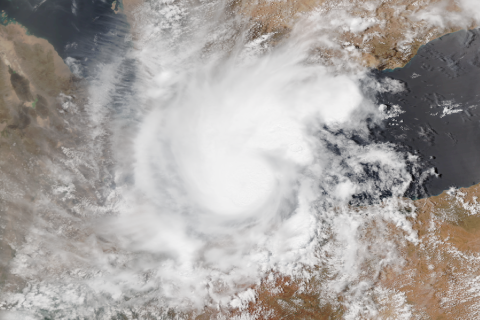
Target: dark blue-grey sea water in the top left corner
[(87, 31)]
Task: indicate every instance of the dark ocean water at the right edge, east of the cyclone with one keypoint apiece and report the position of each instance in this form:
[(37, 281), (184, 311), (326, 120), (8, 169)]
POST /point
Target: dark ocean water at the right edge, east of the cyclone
[(440, 109)]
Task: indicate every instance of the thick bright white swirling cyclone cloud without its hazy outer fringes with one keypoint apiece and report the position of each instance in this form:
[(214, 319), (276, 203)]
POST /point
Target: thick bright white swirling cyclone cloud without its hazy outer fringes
[(237, 157)]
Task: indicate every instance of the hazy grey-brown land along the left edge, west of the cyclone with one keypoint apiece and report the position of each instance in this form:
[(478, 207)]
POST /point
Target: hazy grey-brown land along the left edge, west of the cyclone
[(41, 122)]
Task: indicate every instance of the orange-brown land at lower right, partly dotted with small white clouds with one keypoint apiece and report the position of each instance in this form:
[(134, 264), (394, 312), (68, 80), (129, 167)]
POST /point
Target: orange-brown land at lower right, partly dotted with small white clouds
[(437, 279)]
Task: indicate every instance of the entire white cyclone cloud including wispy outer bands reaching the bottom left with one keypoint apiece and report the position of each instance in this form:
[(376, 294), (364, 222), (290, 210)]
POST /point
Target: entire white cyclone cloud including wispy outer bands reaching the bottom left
[(233, 162)]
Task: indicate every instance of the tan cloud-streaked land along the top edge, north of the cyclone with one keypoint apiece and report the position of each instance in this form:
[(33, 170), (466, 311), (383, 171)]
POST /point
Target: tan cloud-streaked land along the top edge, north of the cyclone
[(377, 34)]
